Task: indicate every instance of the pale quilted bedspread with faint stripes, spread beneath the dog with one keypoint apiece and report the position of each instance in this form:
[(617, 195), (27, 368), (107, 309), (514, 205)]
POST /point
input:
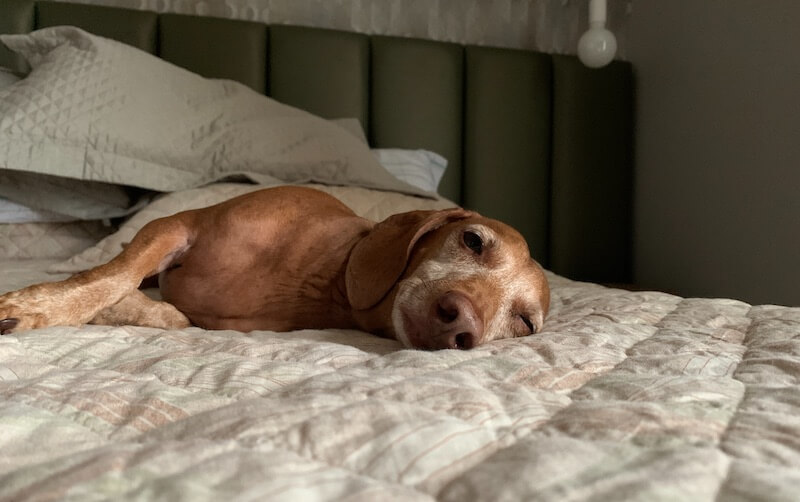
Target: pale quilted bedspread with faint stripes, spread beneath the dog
[(635, 396)]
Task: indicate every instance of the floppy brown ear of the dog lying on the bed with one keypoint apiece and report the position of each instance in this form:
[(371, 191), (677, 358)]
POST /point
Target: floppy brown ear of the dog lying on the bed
[(379, 259)]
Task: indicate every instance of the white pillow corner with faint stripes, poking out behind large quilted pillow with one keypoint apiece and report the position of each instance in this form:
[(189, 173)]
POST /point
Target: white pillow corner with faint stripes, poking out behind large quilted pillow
[(421, 168)]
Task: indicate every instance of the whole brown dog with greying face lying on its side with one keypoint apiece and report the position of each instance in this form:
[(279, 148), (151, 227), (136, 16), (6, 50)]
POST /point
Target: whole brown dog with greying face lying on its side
[(291, 258)]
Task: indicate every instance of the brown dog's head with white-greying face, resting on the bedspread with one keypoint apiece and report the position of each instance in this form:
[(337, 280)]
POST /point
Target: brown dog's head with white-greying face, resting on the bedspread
[(448, 279)]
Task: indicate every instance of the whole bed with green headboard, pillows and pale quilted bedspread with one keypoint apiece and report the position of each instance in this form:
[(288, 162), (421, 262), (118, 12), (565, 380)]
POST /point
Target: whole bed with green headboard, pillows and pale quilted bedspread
[(624, 395)]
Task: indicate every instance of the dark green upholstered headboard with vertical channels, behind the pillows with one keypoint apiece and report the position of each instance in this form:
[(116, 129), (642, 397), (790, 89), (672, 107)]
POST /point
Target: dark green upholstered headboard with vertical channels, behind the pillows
[(533, 139)]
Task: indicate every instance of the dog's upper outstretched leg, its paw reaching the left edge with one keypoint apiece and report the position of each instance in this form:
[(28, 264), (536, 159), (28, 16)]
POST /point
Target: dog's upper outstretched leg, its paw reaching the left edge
[(80, 298)]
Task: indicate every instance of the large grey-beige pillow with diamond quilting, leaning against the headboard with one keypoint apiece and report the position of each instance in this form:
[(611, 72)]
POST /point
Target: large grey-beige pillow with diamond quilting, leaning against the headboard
[(96, 109)]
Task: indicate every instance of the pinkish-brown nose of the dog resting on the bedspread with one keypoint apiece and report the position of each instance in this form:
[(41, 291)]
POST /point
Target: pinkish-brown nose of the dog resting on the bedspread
[(458, 324)]
